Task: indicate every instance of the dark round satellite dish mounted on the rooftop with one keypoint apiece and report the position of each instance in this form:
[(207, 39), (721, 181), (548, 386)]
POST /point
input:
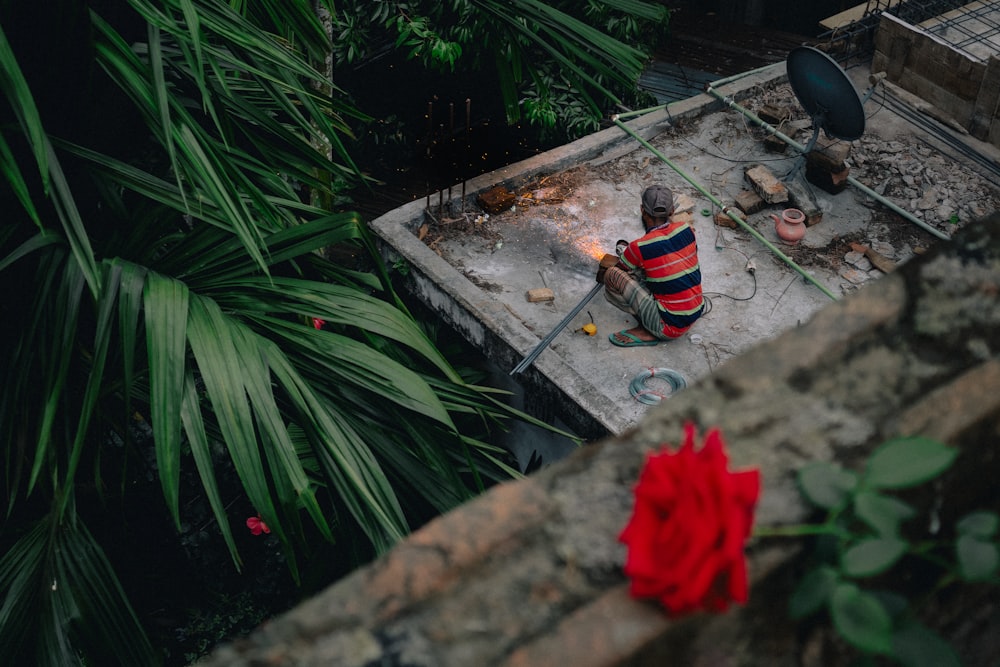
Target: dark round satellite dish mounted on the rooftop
[(826, 93)]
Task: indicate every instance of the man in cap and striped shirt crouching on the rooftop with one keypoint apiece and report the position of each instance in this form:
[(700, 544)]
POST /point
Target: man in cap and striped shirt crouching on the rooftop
[(657, 278)]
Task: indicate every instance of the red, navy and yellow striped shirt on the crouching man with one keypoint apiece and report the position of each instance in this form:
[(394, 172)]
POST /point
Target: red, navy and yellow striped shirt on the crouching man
[(668, 256)]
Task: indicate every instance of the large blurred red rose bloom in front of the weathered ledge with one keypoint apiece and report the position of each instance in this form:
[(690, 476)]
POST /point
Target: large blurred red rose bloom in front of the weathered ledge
[(690, 521)]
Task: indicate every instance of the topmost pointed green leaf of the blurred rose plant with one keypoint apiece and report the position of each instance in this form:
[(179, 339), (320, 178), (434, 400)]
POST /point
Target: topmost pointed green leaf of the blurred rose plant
[(905, 462)]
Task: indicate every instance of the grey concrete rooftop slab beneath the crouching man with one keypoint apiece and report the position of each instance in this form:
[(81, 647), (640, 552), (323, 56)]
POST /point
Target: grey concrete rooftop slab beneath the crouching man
[(574, 202)]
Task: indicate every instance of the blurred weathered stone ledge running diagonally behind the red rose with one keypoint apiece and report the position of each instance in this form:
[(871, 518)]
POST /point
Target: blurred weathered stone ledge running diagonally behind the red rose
[(530, 573)]
